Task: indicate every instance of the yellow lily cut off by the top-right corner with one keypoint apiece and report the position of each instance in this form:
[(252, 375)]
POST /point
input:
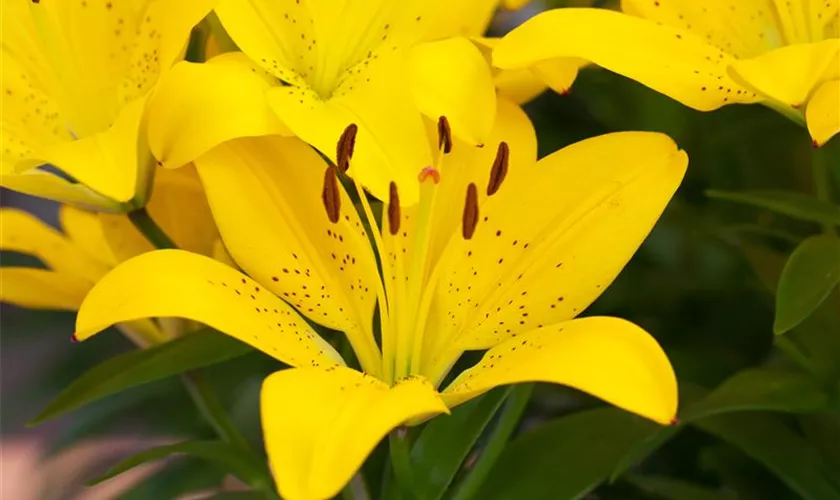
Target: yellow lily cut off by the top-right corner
[(785, 55)]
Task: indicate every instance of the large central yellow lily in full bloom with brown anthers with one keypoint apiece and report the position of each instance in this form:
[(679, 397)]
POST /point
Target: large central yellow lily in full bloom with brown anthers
[(500, 254)]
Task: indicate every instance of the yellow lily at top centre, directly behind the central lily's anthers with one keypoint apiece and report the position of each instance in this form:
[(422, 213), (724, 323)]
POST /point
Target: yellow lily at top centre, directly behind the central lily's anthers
[(310, 68)]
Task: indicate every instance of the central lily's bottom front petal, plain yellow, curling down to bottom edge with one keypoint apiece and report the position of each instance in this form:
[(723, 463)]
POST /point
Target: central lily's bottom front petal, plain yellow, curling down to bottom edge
[(320, 425)]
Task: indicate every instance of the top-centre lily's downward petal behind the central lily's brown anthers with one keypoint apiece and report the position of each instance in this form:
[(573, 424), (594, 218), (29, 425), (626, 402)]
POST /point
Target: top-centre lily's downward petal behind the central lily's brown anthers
[(391, 142)]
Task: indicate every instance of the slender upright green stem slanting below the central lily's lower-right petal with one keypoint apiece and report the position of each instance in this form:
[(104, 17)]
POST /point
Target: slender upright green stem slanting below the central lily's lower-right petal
[(508, 421)]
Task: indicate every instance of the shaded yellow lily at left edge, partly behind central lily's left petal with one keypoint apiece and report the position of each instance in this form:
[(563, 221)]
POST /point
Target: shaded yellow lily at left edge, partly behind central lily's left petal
[(91, 244)]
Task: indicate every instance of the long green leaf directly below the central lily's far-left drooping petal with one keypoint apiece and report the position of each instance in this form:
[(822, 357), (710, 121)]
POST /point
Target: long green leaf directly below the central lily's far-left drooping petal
[(202, 348)]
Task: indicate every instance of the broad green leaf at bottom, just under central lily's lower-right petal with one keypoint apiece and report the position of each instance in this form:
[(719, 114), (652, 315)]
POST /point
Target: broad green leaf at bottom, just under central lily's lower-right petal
[(566, 458)]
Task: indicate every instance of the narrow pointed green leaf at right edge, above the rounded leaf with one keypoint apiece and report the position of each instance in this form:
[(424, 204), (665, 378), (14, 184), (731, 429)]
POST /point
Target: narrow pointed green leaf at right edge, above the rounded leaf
[(788, 203)]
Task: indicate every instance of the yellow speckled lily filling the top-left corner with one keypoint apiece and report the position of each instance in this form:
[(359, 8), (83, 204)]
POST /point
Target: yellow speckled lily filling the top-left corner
[(75, 79)]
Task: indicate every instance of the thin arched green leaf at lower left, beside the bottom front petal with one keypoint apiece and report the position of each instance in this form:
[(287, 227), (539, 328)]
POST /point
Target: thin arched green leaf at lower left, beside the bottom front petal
[(229, 458)]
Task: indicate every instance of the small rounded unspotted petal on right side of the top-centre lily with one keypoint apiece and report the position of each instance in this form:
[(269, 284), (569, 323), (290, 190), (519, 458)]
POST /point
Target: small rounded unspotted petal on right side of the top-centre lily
[(451, 78)]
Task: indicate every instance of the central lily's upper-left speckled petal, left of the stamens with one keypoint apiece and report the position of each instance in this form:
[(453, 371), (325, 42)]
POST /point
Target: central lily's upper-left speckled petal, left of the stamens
[(266, 196)]
